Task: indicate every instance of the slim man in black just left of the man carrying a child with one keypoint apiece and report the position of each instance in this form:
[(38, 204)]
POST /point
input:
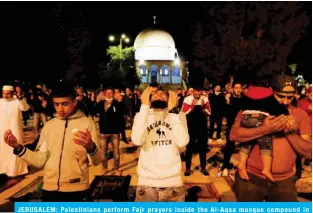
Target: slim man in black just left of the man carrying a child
[(233, 106)]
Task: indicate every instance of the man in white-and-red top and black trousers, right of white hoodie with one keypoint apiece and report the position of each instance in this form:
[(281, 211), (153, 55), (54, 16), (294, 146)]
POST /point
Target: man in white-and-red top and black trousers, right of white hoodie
[(197, 108)]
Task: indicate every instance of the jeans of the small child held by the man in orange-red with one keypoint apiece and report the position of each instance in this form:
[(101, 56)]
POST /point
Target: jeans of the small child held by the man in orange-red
[(264, 142)]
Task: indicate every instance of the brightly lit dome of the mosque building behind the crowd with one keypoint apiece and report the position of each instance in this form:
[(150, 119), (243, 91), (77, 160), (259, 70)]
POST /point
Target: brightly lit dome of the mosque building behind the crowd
[(154, 44)]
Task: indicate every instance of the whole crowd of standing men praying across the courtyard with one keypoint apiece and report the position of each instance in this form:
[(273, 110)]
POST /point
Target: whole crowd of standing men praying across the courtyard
[(271, 120)]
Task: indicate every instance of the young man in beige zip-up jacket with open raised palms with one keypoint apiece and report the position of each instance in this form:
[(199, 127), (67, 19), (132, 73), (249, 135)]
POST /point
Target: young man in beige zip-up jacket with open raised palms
[(65, 144)]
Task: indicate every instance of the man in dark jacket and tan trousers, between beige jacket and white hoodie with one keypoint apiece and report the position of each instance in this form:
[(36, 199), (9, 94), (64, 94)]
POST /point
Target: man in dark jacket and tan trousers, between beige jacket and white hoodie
[(111, 123)]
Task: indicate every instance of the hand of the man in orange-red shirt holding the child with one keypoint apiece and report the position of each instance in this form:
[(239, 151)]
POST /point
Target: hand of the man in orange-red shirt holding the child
[(275, 124)]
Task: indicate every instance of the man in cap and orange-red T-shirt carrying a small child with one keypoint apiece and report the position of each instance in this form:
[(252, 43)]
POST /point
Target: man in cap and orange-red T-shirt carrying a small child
[(286, 146)]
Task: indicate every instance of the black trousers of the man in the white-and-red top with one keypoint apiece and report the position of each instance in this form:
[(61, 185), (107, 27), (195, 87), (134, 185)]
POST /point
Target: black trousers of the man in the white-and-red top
[(197, 144)]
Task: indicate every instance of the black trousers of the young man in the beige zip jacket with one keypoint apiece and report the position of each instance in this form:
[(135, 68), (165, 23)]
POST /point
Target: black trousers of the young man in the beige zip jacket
[(55, 196)]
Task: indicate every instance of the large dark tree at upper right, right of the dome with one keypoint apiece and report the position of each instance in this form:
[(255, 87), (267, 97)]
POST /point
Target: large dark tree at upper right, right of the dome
[(247, 39)]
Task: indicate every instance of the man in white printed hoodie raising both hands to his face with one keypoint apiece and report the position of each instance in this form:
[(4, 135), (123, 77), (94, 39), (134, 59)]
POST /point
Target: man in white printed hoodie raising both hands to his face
[(160, 129)]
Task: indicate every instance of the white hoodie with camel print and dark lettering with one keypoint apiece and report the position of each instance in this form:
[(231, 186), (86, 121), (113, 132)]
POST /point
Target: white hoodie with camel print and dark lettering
[(160, 134)]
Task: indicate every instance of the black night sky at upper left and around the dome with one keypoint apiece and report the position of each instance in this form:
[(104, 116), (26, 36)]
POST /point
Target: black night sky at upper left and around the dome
[(30, 42)]
